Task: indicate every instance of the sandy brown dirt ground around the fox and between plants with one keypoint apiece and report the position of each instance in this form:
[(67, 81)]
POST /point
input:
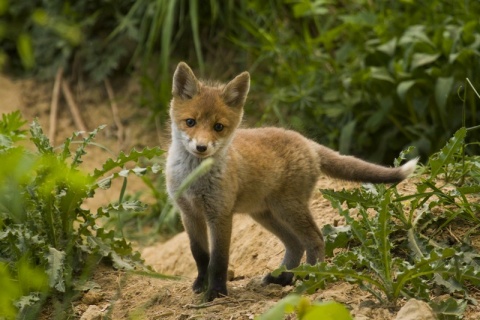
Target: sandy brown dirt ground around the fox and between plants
[(119, 295)]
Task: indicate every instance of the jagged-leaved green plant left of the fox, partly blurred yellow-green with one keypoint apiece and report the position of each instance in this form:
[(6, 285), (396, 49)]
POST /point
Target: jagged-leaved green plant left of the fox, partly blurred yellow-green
[(42, 220)]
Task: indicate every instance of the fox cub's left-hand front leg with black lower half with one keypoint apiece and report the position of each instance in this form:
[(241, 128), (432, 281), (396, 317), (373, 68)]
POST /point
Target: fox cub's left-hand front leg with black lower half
[(196, 228)]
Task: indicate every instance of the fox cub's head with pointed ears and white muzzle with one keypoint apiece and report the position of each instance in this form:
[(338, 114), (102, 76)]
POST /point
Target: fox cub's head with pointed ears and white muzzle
[(205, 116)]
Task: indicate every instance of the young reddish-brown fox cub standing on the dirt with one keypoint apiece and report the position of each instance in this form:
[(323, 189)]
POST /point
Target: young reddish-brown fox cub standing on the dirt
[(269, 173)]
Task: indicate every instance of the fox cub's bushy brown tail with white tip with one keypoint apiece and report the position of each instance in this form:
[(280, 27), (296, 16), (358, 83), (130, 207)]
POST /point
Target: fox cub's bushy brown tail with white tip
[(353, 169)]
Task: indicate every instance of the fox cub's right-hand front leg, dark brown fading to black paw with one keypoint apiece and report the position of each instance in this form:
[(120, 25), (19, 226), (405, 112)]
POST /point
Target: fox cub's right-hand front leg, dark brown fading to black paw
[(220, 235)]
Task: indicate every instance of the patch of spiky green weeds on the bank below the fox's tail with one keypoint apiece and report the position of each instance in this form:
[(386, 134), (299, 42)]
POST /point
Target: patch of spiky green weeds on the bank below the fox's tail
[(396, 243)]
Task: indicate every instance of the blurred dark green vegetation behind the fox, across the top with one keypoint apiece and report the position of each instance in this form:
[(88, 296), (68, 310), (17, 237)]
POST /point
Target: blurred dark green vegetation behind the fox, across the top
[(366, 77)]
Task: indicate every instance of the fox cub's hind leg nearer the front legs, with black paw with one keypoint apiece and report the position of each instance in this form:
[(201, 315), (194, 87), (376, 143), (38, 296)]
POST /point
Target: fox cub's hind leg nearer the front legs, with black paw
[(294, 249)]
